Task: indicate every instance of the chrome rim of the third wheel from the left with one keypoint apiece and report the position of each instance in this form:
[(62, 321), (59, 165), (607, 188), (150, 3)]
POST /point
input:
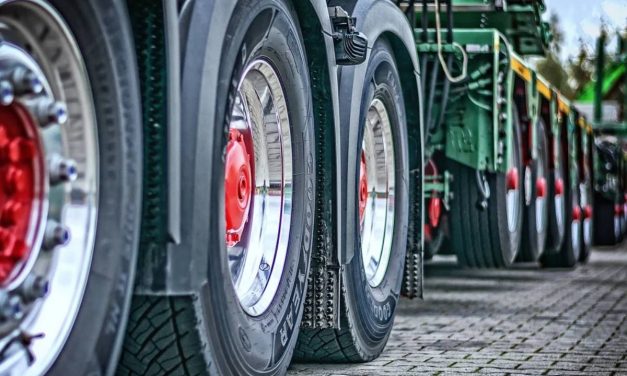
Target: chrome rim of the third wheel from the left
[(377, 220)]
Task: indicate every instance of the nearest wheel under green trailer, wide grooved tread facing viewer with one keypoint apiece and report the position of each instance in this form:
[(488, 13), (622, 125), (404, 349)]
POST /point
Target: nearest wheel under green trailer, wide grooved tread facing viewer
[(488, 238)]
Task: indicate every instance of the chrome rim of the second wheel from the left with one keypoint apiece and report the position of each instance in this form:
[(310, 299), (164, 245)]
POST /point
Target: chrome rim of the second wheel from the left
[(257, 254)]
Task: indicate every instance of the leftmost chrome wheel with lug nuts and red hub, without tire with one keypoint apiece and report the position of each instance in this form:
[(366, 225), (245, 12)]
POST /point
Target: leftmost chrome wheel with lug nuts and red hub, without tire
[(49, 191)]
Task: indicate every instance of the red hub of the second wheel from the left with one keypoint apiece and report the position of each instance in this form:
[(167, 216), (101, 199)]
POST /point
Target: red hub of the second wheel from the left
[(238, 186)]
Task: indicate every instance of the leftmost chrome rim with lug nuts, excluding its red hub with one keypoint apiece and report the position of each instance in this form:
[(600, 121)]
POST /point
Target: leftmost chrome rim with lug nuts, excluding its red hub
[(51, 282)]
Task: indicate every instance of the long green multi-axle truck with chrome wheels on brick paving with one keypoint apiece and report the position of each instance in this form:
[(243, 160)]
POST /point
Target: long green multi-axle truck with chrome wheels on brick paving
[(219, 186)]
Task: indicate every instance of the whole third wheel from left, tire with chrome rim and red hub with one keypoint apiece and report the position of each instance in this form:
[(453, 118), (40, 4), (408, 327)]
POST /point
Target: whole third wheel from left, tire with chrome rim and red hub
[(371, 289)]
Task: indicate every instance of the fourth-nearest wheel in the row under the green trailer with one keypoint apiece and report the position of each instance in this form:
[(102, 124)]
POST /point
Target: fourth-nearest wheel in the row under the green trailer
[(571, 247)]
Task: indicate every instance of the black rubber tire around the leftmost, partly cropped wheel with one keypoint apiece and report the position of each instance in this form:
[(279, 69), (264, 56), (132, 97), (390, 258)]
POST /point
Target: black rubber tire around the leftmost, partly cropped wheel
[(94, 343)]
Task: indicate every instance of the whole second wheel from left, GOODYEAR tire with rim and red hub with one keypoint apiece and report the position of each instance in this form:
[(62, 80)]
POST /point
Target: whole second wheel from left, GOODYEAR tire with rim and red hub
[(253, 212)]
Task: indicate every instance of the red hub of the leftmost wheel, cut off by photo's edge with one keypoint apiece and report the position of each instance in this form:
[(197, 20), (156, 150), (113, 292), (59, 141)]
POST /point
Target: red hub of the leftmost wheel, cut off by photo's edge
[(20, 171)]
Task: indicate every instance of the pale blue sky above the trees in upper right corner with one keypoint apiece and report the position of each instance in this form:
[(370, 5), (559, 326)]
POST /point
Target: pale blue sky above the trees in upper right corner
[(582, 18)]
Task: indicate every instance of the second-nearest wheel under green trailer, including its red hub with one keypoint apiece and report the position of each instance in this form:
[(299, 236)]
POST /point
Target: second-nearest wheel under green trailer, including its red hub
[(535, 223)]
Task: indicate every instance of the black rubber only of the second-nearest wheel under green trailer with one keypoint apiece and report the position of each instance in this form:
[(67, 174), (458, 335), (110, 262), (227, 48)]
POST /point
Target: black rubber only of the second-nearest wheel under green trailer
[(534, 242)]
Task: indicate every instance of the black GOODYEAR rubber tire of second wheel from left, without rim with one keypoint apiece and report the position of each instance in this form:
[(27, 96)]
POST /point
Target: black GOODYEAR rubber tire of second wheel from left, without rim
[(208, 331)]
